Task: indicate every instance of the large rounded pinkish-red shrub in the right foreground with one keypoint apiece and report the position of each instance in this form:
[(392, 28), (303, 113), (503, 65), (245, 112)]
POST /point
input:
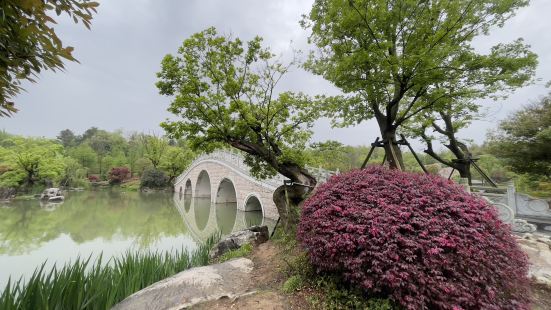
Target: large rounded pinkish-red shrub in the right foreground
[(419, 239)]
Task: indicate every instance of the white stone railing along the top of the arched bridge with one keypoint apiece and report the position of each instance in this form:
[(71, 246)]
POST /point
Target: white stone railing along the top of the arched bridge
[(237, 161)]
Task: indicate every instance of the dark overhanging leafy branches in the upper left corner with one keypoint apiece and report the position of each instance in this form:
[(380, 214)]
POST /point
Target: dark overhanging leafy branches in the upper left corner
[(30, 44)]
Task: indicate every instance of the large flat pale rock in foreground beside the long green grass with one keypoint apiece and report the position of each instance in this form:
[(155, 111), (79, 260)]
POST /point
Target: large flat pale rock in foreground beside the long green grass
[(193, 286)]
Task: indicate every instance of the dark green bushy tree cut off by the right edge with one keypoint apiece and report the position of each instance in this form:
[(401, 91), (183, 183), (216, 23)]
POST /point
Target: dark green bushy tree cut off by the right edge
[(523, 140)]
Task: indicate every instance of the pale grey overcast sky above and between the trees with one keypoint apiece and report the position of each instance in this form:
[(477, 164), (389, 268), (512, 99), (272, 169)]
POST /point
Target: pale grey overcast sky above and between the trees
[(113, 86)]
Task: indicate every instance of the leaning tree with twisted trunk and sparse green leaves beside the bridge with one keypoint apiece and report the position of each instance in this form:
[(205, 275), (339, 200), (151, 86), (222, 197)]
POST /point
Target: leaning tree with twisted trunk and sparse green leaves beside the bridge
[(224, 94)]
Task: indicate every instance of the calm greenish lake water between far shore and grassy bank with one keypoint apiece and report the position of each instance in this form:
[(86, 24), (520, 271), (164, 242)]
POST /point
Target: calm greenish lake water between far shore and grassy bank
[(110, 222)]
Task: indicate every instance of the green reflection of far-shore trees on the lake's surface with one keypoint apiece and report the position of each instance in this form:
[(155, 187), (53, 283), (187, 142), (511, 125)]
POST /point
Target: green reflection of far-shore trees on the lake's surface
[(87, 216)]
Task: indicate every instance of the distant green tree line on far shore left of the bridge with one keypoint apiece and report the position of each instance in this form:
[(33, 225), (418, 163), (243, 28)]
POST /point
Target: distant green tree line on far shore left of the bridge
[(96, 155)]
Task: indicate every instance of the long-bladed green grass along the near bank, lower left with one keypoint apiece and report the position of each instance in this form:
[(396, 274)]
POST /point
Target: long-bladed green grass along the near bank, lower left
[(98, 285)]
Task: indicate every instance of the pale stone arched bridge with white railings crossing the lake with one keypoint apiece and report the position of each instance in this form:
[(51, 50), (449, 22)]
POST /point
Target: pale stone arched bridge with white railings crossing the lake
[(223, 177)]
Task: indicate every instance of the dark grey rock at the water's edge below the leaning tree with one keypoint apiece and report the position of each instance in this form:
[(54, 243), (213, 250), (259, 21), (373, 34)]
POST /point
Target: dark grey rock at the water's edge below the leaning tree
[(254, 235)]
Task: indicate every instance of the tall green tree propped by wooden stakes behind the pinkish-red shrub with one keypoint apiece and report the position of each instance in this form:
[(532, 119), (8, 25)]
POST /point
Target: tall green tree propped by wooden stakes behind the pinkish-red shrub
[(390, 56)]
